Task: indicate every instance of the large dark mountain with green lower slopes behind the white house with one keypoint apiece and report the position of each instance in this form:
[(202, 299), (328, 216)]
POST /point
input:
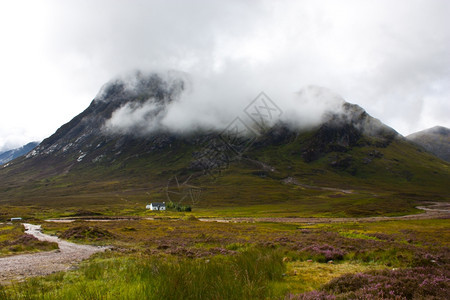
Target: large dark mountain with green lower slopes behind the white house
[(349, 164)]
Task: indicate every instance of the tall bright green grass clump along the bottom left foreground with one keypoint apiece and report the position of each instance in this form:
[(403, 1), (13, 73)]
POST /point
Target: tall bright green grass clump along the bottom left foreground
[(244, 276)]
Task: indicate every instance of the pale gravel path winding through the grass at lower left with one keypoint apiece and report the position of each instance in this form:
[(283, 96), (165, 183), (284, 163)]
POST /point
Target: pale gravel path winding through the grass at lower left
[(20, 266)]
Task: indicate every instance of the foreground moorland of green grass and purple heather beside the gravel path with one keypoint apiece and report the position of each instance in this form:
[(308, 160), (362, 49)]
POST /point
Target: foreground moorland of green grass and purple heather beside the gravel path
[(212, 260)]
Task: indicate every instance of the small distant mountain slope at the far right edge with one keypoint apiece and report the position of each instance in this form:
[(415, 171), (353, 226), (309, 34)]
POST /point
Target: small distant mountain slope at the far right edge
[(435, 140)]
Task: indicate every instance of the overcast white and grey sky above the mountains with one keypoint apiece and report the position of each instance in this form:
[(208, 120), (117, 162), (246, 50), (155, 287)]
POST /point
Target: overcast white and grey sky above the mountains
[(390, 57)]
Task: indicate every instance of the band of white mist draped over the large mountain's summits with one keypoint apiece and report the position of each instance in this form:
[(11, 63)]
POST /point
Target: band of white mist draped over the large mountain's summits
[(179, 102)]
